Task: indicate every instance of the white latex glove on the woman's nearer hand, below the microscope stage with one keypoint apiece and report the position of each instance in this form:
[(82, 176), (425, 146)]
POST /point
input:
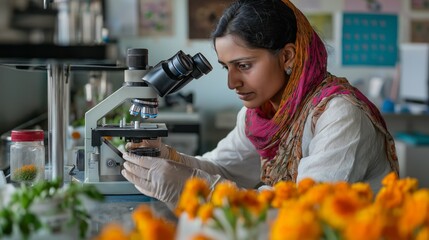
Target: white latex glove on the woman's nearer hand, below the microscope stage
[(161, 178)]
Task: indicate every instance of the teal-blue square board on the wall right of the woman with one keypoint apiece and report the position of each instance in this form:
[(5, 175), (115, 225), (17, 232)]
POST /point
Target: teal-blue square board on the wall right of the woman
[(369, 39)]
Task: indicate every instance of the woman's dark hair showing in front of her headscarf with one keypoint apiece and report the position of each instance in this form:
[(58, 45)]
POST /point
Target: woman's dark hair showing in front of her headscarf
[(268, 24)]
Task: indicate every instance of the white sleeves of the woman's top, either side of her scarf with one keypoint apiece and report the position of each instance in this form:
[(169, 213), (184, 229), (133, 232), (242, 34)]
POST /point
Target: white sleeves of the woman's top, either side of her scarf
[(345, 145)]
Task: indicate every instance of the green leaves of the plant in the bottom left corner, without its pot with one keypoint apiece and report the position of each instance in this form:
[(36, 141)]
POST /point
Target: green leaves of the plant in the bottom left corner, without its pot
[(18, 213)]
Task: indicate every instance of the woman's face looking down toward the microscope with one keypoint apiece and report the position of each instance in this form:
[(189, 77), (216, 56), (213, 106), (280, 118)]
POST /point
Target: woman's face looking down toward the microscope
[(256, 75)]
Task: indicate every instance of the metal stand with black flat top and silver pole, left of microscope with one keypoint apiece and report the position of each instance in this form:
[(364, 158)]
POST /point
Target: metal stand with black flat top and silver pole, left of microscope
[(58, 61)]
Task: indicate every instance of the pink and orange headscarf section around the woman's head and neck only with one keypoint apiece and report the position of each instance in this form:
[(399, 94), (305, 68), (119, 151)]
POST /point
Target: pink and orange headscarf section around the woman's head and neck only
[(309, 70)]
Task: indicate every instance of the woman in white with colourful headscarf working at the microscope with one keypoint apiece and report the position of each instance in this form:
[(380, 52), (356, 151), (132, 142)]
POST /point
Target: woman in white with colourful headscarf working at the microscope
[(298, 120)]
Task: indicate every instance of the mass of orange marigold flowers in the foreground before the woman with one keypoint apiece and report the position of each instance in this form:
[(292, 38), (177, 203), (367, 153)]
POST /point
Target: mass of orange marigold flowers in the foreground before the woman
[(306, 210)]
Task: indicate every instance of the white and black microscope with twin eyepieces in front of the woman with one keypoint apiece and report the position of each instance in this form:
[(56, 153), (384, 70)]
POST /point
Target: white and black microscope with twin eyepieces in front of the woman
[(142, 87)]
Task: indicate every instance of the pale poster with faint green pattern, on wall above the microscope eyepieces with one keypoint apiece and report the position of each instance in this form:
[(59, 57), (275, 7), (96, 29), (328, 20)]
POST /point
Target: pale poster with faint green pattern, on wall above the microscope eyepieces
[(156, 17)]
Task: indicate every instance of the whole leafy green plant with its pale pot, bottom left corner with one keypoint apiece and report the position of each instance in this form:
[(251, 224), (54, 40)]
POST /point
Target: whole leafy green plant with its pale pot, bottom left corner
[(47, 209)]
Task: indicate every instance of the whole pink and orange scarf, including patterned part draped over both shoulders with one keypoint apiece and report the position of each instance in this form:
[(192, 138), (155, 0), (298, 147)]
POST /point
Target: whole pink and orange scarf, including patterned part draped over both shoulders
[(278, 139)]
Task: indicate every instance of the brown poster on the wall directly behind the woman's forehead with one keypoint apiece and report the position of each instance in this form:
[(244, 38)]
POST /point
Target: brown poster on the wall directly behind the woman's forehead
[(203, 16)]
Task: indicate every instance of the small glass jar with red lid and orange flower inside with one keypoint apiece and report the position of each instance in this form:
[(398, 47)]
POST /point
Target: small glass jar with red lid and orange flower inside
[(27, 156)]
